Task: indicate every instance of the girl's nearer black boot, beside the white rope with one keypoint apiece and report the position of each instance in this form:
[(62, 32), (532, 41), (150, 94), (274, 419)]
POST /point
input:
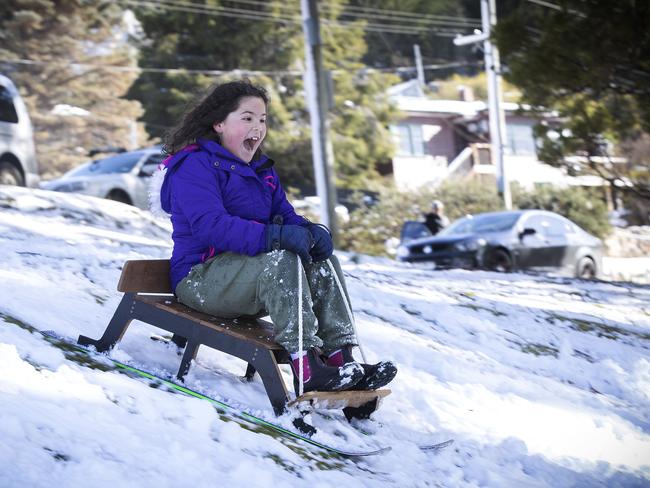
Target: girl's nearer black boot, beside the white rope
[(320, 377)]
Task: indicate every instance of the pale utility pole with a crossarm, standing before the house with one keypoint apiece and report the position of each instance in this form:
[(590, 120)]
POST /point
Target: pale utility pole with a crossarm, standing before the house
[(495, 103)]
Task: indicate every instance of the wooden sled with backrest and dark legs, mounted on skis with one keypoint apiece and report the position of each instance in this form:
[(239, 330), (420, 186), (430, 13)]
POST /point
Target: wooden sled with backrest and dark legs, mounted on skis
[(148, 297)]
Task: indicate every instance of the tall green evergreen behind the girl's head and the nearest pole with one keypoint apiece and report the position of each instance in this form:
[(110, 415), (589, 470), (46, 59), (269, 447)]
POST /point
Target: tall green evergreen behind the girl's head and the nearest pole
[(273, 43)]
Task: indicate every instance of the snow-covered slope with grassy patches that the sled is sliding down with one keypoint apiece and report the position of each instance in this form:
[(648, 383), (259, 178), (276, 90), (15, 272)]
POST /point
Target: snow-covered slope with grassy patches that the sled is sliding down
[(541, 381)]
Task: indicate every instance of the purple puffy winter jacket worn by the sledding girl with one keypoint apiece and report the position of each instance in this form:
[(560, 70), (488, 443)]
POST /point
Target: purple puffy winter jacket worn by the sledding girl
[(218, 204)]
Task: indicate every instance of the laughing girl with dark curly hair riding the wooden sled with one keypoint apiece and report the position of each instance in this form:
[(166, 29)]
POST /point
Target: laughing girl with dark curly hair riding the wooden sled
[(240, 249)]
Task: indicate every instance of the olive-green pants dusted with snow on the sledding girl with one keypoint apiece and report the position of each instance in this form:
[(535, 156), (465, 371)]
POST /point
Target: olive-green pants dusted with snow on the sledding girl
[(233, 285)]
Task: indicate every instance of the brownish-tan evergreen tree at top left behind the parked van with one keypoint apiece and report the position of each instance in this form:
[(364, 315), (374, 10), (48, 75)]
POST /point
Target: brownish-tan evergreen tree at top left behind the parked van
[(54, 51)]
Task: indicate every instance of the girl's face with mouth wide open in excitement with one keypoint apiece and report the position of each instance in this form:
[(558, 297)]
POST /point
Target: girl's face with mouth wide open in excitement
[(244, 129)]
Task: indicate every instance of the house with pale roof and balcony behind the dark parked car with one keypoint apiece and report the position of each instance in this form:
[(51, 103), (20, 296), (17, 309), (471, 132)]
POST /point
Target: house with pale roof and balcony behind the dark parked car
[(438, 140)]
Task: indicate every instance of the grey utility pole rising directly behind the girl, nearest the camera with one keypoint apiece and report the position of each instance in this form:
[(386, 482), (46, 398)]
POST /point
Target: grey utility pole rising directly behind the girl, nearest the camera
[(317, 100)]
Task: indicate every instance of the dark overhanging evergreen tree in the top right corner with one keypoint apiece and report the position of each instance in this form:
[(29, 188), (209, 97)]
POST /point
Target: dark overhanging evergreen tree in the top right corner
[(590, 62)]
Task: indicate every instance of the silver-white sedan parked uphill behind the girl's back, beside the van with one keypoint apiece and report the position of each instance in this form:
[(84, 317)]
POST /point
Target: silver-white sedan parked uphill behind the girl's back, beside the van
[(123, 177)]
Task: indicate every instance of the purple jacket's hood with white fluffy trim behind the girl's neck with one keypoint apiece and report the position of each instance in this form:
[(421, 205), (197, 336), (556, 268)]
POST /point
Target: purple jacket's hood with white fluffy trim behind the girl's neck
[(160, 188)]
